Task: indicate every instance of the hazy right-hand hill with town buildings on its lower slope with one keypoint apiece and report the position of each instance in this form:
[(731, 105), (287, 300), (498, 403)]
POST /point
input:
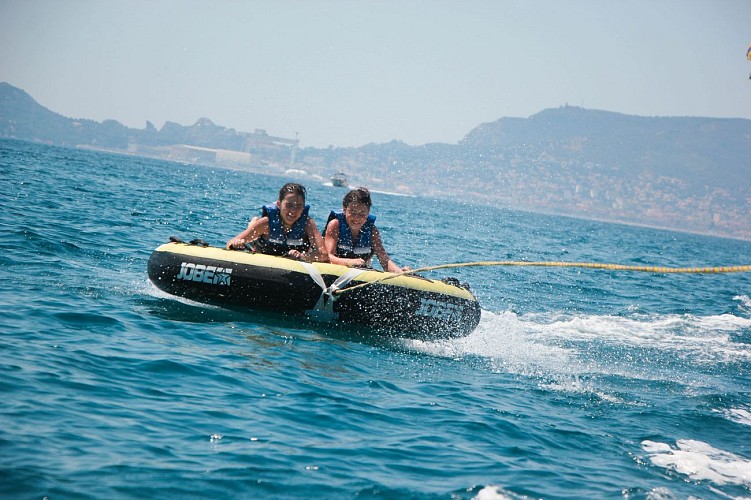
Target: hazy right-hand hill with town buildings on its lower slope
[(689, 174)]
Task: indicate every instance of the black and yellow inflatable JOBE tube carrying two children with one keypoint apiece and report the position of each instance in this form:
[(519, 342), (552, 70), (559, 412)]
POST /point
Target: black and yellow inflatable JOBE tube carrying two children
[(410, 306)]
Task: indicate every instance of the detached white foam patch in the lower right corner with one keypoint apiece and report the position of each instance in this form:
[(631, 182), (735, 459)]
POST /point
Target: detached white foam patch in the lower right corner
[(700, 461)]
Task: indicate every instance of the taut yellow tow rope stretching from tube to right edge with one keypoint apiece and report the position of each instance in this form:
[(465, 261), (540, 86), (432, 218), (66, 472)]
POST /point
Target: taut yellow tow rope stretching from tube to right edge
[(586, 265)]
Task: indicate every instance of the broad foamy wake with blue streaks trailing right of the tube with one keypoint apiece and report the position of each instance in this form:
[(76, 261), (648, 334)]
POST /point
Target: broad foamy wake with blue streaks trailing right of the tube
[(562, 348)]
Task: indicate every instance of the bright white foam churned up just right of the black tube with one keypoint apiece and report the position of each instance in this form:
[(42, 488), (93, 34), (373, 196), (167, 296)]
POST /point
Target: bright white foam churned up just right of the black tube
[(539, 340)]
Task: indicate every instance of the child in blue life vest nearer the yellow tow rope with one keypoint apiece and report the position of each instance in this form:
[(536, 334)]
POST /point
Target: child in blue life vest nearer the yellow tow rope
[(351, 237)]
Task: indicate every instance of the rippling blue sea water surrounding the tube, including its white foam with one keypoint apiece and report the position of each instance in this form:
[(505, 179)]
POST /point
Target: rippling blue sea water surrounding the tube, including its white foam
[(577, 383)]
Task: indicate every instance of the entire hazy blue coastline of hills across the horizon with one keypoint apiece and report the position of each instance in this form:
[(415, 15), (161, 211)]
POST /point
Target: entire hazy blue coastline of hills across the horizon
[(684, 173)]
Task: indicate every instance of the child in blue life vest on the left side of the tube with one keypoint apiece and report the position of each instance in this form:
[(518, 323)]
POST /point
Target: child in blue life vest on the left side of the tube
[(284, 228)]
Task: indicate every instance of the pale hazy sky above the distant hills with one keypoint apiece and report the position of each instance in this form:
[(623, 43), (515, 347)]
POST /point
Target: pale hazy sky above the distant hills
[(347, 73)]
